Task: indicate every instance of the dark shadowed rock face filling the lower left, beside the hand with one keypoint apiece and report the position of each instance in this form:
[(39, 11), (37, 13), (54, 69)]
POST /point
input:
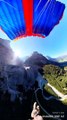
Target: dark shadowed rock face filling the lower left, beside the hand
[(17, 86)]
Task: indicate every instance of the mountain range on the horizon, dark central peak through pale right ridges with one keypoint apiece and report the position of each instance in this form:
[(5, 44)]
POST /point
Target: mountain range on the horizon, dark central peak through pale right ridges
[(37, 61)]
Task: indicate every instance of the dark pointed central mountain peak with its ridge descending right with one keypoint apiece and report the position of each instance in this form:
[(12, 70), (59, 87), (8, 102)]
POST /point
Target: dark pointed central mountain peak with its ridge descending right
[(37, 61)]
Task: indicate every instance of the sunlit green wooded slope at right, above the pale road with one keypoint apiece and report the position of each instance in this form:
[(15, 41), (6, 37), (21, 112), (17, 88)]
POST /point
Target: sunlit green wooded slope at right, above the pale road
[(57, 77)]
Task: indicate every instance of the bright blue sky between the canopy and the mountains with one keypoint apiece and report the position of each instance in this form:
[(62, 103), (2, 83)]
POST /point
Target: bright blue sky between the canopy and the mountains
[(54, 45)]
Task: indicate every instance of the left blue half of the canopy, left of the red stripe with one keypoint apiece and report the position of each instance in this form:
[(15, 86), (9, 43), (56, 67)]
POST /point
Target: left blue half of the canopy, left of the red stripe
[(12, 18)]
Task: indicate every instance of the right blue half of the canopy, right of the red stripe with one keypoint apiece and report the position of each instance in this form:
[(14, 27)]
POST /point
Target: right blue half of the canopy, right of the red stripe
[(47, 14)]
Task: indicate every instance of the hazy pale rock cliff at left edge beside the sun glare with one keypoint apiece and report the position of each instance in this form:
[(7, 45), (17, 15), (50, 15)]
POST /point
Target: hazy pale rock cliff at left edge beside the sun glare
[(7, 56)]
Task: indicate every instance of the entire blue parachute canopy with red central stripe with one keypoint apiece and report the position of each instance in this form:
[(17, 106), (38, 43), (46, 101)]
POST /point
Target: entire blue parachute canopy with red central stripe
[(20, 18)]
